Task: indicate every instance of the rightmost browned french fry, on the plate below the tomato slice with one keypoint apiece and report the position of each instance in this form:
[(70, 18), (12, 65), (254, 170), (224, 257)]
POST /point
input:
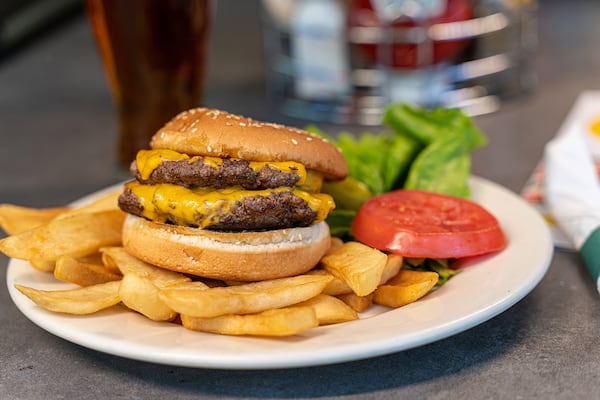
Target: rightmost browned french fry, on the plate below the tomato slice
[(405, 288)]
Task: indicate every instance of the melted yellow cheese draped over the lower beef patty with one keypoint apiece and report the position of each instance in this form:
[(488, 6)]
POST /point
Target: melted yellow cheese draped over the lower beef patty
[(204, 206)]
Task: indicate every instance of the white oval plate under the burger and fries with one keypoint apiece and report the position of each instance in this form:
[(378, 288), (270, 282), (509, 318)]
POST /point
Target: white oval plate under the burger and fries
[(485, 288)]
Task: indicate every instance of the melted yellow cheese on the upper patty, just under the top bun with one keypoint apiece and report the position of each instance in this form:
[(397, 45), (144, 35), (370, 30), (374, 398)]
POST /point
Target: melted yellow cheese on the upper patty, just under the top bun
[(148, 160)]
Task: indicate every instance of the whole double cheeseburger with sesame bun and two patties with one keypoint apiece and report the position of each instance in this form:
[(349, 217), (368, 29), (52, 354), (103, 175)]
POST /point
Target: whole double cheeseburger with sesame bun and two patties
[(226, 197)]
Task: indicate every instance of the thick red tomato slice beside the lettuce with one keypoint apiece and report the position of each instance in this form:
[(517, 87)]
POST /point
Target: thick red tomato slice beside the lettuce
[(416, 223)]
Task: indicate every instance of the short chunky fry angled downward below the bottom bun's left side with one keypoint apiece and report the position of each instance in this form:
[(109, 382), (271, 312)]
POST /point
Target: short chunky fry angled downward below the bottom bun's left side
[(141, 294)]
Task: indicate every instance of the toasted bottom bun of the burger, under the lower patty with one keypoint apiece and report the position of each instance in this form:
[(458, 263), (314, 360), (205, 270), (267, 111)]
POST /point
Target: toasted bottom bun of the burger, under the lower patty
[(240, 256)]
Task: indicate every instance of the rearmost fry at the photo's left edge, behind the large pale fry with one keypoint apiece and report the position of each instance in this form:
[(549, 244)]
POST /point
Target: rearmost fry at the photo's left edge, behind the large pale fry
[(17, 219)]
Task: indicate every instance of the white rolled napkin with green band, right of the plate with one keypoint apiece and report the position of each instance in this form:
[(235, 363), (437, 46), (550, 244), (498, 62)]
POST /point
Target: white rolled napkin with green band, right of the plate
[(572, 190)]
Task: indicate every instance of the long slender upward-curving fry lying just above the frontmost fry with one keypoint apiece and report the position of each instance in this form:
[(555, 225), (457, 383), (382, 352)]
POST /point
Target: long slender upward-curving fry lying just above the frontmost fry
[(244, 299)]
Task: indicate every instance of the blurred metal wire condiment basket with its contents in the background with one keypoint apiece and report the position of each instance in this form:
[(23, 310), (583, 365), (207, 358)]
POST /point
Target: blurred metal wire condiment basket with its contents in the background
[(492, 60)]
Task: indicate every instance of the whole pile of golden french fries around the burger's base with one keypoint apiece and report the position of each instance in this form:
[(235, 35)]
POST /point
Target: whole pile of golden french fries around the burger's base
[(82, 245)]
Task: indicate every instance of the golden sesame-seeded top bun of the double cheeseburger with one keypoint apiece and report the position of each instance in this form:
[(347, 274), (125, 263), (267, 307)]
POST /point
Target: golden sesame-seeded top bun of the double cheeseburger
[(210, 132)]
